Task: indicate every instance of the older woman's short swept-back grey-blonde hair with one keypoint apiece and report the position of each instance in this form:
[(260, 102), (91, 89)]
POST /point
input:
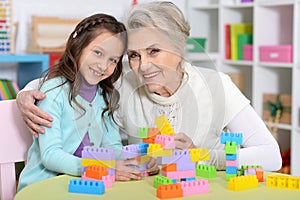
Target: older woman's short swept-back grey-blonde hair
[(163, 15)]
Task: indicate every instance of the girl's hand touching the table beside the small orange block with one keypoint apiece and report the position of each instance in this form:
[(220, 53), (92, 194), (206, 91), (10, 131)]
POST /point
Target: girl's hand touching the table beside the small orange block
[(125, 173)]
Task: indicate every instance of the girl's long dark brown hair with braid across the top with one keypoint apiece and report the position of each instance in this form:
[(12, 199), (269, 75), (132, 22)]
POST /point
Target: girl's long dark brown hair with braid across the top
[(85, 32)]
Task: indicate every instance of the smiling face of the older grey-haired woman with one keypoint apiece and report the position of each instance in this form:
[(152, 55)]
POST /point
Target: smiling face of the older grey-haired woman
[(153, 59)]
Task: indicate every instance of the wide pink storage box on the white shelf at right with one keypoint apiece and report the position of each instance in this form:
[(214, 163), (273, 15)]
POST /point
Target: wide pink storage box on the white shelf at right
[(276, 53)]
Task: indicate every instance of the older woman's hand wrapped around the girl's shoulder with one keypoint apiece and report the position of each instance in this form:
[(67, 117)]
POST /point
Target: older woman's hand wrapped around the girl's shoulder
[(33, 115)]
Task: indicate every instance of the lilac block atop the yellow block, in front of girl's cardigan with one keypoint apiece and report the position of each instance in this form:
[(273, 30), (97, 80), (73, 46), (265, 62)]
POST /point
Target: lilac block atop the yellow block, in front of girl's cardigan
[(98, 153)]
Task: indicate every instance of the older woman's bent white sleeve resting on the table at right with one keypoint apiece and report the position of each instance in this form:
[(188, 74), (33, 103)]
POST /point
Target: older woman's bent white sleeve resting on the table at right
[(259, 146)]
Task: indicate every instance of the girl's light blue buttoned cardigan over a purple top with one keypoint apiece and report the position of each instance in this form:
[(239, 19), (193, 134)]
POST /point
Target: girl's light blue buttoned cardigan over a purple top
[(52, 152)]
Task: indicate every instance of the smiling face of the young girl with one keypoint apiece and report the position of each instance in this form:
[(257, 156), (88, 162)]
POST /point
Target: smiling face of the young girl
[(99, 59)]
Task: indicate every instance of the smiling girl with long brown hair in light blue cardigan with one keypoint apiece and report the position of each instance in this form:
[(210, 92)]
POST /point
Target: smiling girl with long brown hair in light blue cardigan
[(81, 99)]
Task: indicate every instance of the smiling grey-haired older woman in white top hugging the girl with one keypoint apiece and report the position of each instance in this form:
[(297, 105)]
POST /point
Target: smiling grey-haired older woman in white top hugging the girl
[(198, 102)]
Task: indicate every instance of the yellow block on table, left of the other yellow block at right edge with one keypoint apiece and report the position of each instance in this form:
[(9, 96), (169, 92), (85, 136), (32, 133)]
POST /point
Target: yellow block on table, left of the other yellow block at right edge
[(242, 183)]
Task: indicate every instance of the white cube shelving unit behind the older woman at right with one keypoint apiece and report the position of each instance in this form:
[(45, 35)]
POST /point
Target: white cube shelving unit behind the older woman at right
[(275, 23)]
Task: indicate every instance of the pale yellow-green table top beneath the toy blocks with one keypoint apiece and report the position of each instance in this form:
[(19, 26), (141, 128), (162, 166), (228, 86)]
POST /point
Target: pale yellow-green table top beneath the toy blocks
[(57, 188)]
